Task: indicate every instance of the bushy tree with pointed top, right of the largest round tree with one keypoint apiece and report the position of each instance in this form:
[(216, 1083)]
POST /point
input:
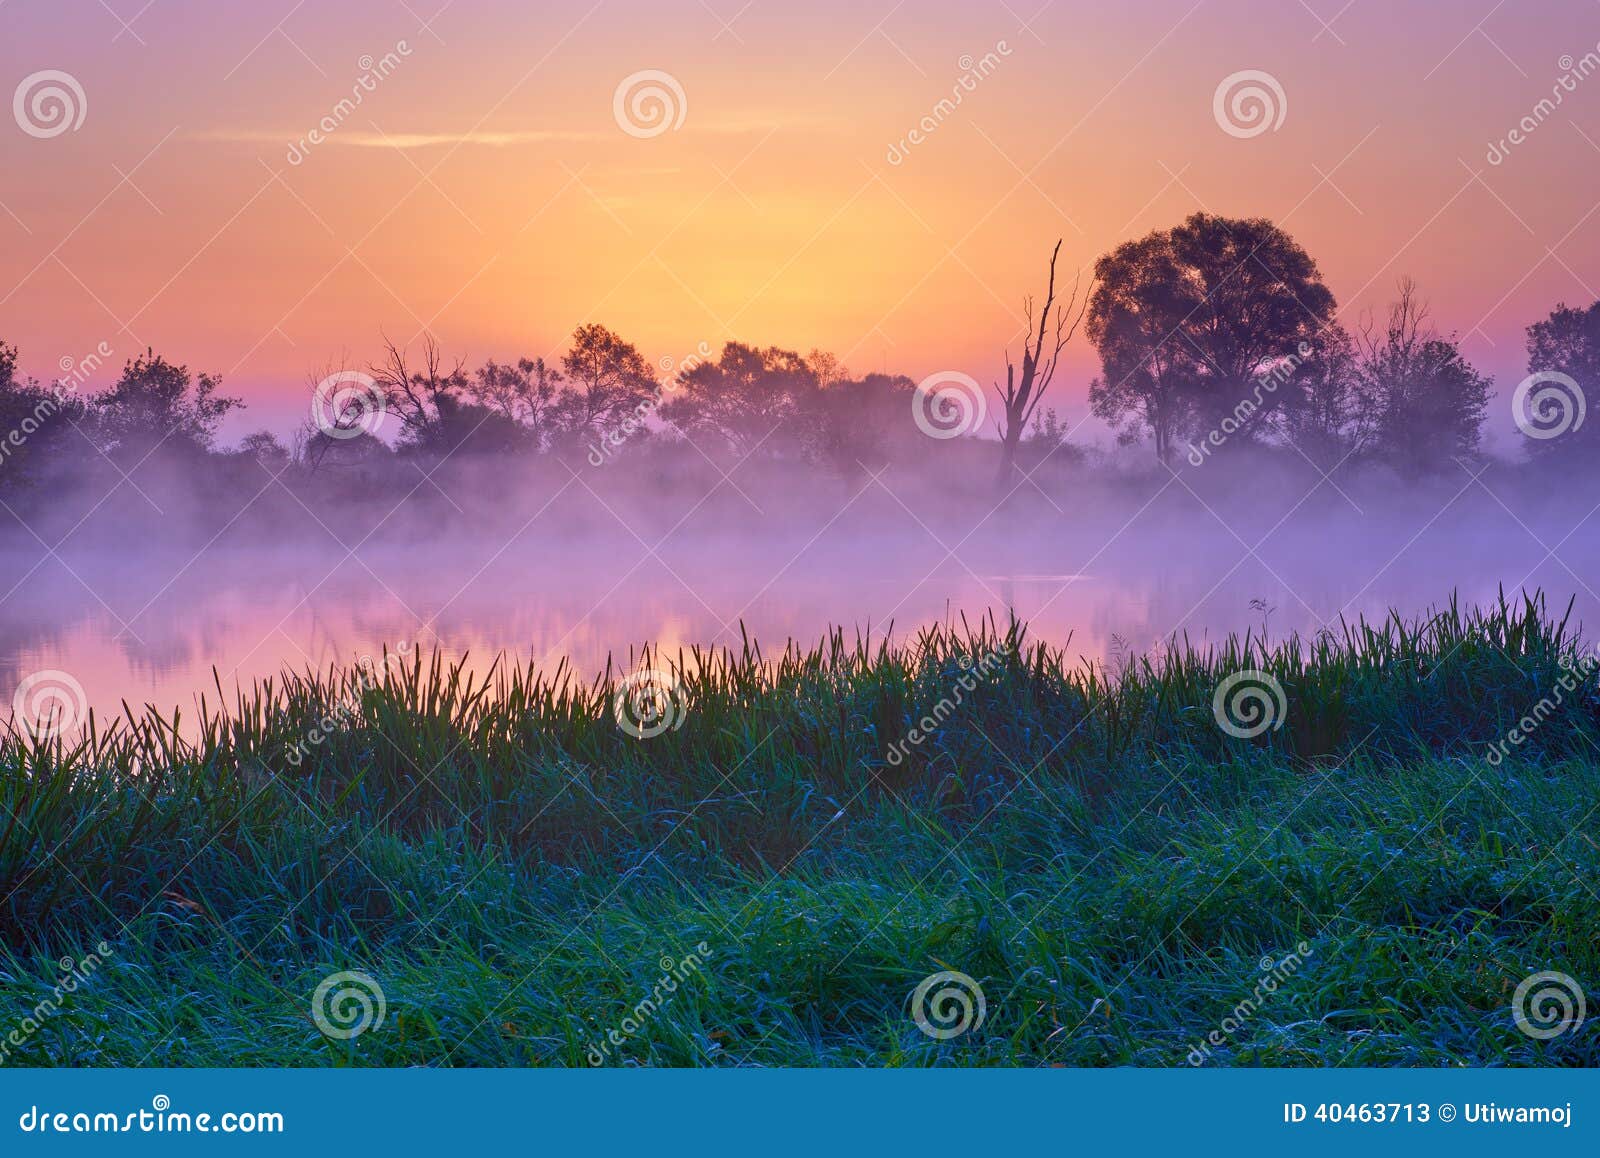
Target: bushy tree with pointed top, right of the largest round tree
[(1426, 401)]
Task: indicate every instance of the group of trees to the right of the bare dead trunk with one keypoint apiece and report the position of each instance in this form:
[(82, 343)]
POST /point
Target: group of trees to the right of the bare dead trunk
[(1220, 335)]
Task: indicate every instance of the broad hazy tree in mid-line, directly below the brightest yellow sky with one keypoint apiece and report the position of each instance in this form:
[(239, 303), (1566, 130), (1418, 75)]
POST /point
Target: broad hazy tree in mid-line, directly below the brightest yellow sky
[(746, 399)]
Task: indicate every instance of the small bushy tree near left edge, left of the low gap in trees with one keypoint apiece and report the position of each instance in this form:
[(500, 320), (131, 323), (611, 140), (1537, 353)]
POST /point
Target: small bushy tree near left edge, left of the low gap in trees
[(156, 404)]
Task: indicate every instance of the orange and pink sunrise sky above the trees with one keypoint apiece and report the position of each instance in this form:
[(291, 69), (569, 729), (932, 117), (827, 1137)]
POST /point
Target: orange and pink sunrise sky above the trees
[(489, 188)]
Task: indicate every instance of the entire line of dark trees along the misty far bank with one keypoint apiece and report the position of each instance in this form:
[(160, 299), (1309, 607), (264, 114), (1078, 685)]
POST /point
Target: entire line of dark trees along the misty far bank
[(1215, 338)]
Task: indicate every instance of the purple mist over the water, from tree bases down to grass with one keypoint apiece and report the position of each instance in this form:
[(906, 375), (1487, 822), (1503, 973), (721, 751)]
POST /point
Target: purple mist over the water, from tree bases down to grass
[(550, 565)]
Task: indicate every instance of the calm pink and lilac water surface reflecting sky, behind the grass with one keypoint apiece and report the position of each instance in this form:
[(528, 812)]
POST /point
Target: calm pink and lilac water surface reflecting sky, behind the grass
[(153, 631)]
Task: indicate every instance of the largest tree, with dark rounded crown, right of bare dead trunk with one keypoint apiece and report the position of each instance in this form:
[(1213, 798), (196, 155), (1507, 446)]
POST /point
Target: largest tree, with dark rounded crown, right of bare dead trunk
[(1194, 327)]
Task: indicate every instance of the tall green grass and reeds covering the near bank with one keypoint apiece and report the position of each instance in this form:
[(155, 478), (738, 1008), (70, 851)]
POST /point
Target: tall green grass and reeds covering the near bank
[(521, 876)]
